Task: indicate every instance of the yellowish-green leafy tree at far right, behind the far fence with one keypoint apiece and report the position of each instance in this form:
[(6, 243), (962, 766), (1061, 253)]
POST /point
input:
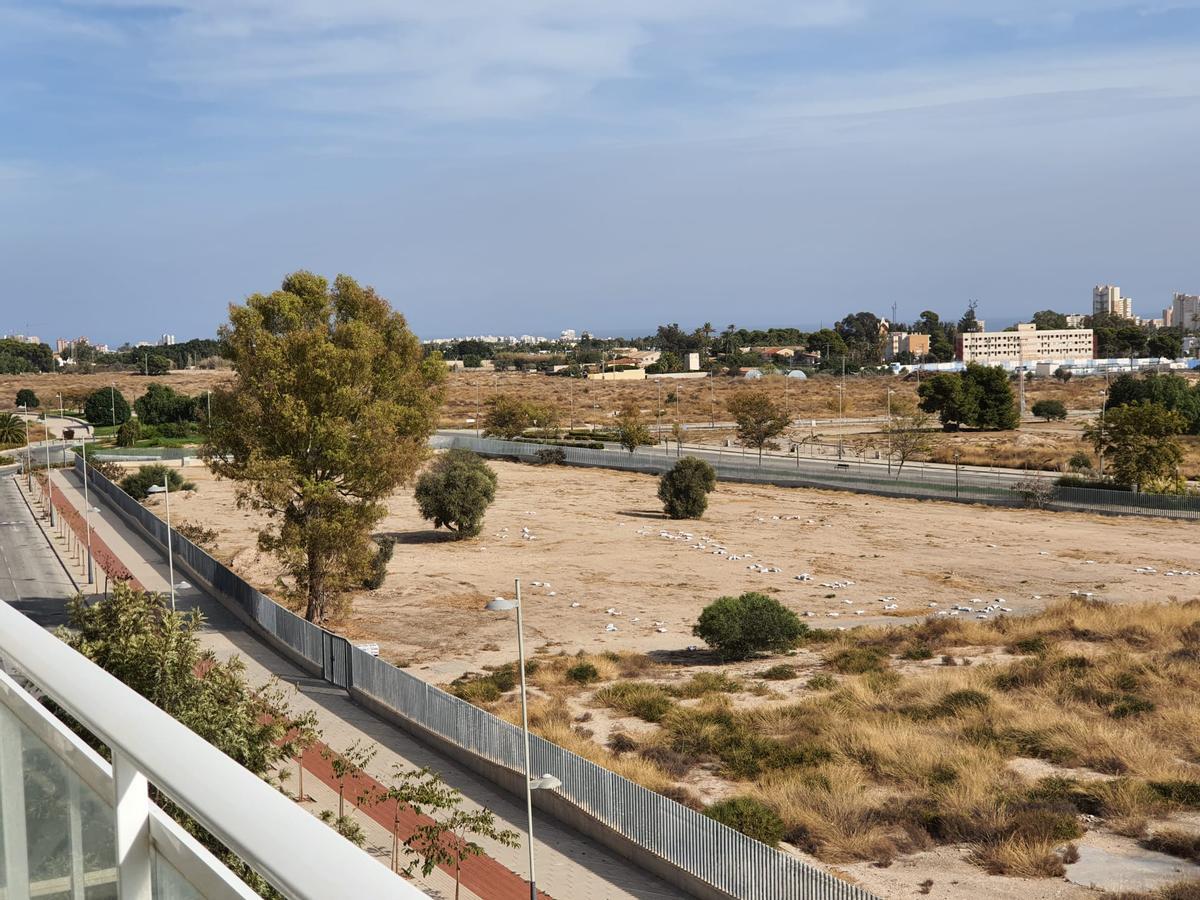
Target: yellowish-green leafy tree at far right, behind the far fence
[(1139, 445)]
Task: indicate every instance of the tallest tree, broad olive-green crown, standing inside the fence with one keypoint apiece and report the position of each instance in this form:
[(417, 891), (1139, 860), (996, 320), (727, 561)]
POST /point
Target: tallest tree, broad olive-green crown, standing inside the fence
[(332, 410)]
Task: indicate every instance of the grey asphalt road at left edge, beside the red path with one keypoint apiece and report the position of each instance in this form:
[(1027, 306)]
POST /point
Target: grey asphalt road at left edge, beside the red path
[(32, 579)]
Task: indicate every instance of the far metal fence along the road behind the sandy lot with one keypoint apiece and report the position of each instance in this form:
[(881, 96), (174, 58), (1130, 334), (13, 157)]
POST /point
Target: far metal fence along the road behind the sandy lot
[(914, 482)]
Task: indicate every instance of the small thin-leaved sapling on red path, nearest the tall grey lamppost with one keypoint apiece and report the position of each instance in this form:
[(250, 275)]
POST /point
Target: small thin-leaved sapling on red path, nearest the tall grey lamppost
[(449, 838)]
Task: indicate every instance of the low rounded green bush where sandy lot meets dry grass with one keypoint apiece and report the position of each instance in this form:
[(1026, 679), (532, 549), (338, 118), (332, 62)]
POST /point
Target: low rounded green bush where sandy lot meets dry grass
[(740, 627)]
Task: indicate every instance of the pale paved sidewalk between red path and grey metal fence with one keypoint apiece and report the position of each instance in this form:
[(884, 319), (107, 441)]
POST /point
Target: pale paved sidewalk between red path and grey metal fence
[(569, 866)]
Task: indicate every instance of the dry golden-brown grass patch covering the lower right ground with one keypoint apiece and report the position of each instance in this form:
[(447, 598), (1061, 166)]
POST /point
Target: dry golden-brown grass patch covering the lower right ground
[(891, 761)]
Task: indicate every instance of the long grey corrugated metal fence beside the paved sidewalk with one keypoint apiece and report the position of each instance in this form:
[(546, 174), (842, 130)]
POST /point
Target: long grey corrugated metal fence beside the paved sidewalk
[(716, 855)]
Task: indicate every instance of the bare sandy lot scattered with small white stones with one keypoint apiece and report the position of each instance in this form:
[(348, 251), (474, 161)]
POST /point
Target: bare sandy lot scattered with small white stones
[(601, 542)]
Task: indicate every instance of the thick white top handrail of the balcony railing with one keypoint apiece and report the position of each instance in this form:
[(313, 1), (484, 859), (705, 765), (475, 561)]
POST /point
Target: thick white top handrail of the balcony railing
[(296, 853)]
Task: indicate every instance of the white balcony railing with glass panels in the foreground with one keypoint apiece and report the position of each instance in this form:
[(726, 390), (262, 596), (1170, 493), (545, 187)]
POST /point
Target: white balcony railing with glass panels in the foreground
[(75, 827)]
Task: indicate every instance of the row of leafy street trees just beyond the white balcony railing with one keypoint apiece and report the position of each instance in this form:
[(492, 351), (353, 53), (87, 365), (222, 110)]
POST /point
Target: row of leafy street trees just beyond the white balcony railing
[(136, 638)]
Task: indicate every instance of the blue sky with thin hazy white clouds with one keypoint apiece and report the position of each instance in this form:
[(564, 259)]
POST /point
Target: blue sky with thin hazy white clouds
[(500, 166)]
